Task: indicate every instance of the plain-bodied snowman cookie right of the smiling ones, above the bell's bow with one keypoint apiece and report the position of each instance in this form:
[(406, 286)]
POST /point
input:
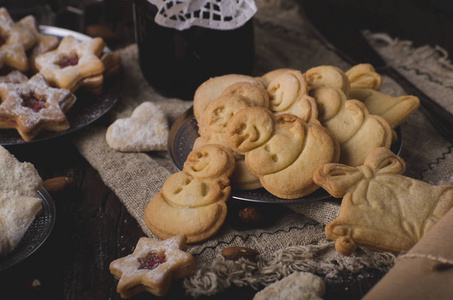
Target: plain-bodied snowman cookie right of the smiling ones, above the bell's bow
[(357, 131)]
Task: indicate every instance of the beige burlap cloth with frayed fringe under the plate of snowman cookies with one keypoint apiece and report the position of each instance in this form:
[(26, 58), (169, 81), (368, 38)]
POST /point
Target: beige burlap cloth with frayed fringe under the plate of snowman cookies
[(295, 241)]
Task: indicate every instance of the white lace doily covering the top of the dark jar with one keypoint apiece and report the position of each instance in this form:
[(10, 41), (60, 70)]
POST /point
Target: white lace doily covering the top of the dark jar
[(213, 14)]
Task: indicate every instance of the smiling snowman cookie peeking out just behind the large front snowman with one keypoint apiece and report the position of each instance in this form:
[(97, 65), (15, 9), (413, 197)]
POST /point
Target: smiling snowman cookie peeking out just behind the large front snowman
[(289, 94)]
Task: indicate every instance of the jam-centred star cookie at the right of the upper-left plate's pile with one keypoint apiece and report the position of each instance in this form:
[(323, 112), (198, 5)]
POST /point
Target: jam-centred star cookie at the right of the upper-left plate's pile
[(72, 62)]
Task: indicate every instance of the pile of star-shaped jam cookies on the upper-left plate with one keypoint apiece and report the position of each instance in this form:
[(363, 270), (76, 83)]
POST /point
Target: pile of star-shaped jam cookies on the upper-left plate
[(57, 69)]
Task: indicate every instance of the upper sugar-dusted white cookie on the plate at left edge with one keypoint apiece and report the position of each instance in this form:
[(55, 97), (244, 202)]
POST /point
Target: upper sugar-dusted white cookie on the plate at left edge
[(19, 177)]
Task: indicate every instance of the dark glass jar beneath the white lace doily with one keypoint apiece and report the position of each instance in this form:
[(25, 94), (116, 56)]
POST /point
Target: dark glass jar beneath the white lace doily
[(176, 62)]
